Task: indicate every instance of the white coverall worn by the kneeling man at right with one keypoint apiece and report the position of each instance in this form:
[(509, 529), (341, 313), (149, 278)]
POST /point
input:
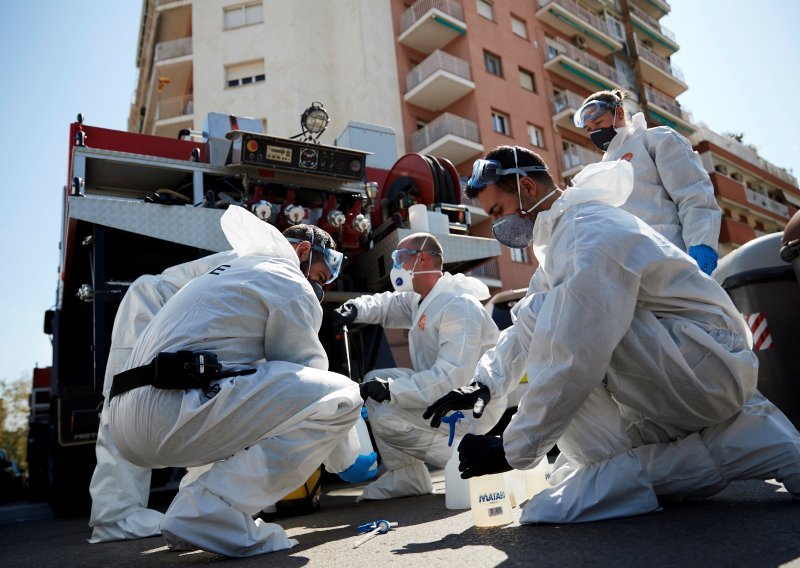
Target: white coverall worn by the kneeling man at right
[(639, 366)]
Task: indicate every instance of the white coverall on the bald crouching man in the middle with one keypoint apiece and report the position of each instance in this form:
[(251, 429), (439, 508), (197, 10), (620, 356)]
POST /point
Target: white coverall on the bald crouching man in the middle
[(448, 332)]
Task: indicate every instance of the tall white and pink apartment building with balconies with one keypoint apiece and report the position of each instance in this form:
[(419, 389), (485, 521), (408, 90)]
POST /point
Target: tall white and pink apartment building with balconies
[(452, 78)]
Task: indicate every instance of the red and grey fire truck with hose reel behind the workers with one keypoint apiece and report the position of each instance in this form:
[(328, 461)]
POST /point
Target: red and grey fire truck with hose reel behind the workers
[(136, 204)]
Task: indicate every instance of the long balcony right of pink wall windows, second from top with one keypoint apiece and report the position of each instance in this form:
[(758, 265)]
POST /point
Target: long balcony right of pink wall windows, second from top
[(579, 67)]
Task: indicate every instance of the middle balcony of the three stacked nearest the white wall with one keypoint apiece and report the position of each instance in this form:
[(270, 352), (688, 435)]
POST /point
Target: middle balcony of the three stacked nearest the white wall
[(439, 81)]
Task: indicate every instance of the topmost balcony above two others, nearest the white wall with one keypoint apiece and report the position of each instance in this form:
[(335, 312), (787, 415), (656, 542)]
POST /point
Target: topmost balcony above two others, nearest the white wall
[(429, 25)]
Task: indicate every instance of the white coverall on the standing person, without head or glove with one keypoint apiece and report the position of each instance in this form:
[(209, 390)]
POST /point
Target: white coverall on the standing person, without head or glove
[(671, 190)]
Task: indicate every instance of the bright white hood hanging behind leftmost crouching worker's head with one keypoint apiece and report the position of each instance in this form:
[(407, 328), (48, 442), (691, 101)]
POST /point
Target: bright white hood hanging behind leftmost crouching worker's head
[(248, 235)]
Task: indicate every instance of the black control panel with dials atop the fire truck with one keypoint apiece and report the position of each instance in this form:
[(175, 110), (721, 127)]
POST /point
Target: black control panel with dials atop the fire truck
[(252, 149)]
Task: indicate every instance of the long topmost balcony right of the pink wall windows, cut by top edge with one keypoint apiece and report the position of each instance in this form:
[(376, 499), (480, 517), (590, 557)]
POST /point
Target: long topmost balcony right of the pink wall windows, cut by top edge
[(572, 17)]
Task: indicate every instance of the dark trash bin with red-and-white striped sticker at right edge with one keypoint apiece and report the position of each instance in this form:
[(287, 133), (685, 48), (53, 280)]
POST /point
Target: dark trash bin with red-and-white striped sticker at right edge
[(765, 289)]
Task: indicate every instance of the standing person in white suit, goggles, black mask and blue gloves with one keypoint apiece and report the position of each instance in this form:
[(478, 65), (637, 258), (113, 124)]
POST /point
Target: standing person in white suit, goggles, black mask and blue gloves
[(671, 190)]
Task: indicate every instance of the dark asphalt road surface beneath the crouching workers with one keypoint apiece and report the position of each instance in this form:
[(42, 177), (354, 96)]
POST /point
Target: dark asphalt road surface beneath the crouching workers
[(751, 524)]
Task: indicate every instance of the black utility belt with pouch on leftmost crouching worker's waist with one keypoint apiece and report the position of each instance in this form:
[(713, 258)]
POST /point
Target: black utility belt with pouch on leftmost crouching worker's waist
[(178, 370)]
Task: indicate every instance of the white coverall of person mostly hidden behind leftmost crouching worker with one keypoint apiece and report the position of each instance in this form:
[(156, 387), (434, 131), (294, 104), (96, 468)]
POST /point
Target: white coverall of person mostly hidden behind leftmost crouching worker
[(119, 489)]
